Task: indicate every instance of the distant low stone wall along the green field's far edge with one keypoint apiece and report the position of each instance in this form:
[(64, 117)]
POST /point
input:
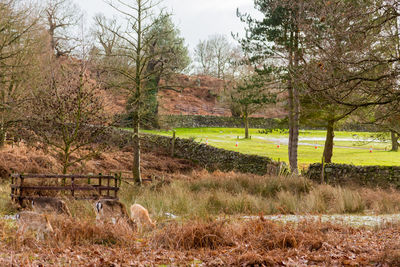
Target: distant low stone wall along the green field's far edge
[(197, 121)]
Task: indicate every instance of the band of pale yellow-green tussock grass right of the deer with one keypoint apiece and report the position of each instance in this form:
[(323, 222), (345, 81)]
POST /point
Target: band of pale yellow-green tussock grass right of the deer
[(231, 193)]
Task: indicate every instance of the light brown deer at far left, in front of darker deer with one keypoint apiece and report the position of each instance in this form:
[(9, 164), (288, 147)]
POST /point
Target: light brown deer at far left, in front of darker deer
[(29, 220)]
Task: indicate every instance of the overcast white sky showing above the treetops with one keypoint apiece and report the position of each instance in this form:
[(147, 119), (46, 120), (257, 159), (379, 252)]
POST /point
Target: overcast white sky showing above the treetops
[(196, 19)]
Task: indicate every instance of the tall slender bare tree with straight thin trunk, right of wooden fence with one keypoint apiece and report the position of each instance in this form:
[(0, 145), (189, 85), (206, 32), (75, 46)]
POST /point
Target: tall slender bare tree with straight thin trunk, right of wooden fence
[(137, 52)]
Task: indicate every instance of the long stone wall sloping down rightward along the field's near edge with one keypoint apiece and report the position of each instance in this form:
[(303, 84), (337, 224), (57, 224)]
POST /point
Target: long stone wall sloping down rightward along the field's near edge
[(206, 156)]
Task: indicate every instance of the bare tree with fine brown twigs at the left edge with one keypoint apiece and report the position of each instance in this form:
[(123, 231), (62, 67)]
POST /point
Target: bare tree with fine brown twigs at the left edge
[(19, 45)]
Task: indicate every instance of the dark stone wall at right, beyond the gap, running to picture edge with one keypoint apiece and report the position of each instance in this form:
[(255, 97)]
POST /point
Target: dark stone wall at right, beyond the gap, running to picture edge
[(382, 176)]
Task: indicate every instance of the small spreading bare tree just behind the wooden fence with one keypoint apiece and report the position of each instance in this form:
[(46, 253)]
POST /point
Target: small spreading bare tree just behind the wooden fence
[(67, 114)]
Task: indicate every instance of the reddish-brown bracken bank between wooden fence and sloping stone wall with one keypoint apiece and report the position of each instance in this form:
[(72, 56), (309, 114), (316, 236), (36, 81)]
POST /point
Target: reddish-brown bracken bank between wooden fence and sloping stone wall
[(23, 159)]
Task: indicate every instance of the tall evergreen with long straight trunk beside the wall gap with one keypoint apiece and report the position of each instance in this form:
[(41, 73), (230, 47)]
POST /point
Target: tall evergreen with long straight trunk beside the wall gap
[(276, 37)]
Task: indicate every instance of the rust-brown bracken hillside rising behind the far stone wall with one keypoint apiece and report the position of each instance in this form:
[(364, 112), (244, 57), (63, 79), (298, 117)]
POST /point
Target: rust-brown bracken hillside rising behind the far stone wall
[(187, 95)]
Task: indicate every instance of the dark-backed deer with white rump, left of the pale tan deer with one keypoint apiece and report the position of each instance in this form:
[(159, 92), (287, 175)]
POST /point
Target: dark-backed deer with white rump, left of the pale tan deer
[(109, 210)]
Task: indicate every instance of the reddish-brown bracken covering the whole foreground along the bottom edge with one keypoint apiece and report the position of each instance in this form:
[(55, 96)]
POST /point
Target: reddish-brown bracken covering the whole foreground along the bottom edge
[(244, 243)]
